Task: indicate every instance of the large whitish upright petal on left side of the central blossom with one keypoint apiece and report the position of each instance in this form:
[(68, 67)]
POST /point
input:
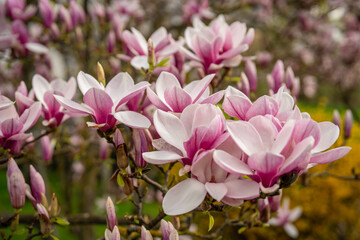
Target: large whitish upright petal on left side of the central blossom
[(170, 128)]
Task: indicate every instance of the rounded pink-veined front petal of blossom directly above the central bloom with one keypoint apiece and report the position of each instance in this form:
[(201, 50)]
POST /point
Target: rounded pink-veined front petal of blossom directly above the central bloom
[(177, 98)]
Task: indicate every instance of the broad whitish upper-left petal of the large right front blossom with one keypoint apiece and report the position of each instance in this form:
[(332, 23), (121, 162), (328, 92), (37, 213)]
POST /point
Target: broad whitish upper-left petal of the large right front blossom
[(246, 137)]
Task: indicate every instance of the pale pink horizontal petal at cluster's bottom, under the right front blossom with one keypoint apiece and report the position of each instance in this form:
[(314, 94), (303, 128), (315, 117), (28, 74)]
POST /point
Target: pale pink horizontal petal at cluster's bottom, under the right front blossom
[(242, 189)]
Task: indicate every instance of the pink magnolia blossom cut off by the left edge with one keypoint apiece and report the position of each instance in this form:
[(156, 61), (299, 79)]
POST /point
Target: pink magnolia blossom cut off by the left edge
[(13, 126)]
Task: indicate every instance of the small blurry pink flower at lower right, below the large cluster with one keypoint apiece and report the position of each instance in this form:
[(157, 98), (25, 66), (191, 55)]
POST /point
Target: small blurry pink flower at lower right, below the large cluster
[(285, 217)]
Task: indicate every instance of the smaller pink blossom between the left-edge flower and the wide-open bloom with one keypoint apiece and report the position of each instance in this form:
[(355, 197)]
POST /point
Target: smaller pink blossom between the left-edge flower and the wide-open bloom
[(53, 112)]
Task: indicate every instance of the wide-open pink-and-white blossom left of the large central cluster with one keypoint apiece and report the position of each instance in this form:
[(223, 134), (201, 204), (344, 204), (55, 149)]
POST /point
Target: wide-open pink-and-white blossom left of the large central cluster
[(106, 105)]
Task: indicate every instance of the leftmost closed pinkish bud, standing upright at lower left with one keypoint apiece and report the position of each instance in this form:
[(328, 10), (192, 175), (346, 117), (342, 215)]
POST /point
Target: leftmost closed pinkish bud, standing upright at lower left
[(16, 185)]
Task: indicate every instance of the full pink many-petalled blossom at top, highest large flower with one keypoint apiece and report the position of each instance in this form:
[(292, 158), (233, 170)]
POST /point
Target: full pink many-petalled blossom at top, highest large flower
[(217, 45)]
